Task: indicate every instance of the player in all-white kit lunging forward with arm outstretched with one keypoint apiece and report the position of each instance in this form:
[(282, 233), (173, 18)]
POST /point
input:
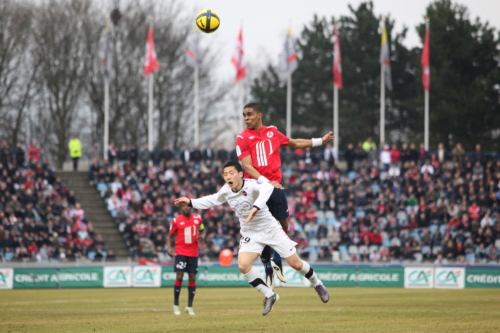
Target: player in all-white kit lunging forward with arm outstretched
[(247, 198)]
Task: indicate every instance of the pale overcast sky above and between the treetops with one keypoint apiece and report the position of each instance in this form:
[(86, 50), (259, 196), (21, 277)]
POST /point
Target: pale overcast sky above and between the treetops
[(265, 22)]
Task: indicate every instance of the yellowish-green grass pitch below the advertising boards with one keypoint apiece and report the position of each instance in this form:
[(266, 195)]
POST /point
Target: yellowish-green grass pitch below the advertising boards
[(239, 310)]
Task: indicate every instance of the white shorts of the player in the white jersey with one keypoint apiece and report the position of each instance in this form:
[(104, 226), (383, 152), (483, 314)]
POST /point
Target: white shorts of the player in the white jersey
[(275, 238)]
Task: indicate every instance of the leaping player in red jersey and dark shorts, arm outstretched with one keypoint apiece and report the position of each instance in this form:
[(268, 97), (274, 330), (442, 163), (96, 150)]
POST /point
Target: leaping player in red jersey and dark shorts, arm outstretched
[(258, 149)]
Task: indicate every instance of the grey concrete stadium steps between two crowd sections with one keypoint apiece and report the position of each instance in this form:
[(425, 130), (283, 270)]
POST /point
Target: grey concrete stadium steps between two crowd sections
[(95, 211)]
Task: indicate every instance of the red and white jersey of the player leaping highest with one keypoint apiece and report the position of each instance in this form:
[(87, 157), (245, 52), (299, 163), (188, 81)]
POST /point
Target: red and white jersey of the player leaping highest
[(264, 147)]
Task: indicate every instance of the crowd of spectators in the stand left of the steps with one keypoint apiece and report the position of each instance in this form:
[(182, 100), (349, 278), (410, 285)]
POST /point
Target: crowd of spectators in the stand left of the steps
[(40, 219)]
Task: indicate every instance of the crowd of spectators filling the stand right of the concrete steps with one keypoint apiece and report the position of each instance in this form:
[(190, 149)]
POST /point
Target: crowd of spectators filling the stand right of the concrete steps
[(375, 205)]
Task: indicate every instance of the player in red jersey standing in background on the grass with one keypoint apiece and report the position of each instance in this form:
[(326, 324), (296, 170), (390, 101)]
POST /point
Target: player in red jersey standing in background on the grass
[(188, 230)]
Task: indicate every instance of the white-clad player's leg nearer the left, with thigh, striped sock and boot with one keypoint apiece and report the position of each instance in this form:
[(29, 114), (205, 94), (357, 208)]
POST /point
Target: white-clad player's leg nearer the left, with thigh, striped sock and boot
[(245, 265)]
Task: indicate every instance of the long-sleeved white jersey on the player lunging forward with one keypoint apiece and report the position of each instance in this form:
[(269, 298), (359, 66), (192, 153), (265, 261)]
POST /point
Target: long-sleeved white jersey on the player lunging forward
[(252, 193)]
